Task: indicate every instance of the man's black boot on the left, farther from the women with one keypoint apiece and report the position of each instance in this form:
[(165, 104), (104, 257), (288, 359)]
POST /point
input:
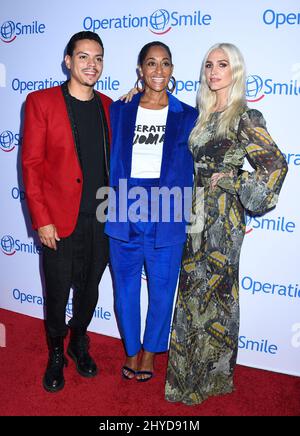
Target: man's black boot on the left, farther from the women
[(53, 380)]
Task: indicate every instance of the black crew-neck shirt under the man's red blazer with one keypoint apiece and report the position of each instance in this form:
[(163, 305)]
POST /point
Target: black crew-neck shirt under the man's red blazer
[(91, 154)]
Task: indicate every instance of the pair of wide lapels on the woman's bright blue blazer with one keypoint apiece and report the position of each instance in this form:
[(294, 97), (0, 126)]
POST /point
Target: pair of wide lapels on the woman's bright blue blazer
[(173, 124)]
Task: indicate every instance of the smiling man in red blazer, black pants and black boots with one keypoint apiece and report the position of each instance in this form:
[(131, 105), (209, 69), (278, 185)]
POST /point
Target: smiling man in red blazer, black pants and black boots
[(65, 161)]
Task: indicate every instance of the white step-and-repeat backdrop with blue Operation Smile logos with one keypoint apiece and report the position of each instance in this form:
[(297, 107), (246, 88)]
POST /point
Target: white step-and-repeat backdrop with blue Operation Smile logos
[(33, 36)]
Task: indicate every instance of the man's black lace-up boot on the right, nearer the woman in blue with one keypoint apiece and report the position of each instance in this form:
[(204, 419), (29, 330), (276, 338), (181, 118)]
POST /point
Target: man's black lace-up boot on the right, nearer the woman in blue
[(78, 351)]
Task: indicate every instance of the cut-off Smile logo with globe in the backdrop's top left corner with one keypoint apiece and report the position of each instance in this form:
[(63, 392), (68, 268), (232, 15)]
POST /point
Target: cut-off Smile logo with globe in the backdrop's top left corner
[(9, 30)]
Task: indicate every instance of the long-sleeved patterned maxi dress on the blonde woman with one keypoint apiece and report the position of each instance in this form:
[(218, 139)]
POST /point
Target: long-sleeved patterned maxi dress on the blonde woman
[(204, 338)]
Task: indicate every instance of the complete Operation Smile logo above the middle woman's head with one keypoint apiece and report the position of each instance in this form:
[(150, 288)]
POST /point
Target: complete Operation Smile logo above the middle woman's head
[(159, 22)]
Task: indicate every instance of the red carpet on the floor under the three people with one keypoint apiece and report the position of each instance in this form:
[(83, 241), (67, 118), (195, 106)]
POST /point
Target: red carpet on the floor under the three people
[(23, 360)]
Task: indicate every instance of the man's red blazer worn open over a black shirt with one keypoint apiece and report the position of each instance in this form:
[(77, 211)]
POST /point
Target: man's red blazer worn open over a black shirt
[(51, 170)]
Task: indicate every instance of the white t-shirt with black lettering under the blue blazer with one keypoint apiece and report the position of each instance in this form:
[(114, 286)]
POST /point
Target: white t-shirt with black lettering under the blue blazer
[(148, 142)]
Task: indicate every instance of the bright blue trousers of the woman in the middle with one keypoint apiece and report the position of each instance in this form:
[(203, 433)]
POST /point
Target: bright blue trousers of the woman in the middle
[(162, 267)]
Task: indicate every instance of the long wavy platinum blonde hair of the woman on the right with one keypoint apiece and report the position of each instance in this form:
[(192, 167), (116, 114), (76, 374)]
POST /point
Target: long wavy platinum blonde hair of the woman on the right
[(206, 99)]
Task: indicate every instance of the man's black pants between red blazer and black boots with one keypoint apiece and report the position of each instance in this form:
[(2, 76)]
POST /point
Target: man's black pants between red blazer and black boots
[(78, 262)]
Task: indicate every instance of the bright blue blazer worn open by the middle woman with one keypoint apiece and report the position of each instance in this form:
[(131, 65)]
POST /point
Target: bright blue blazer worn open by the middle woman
[(176, 167)]
